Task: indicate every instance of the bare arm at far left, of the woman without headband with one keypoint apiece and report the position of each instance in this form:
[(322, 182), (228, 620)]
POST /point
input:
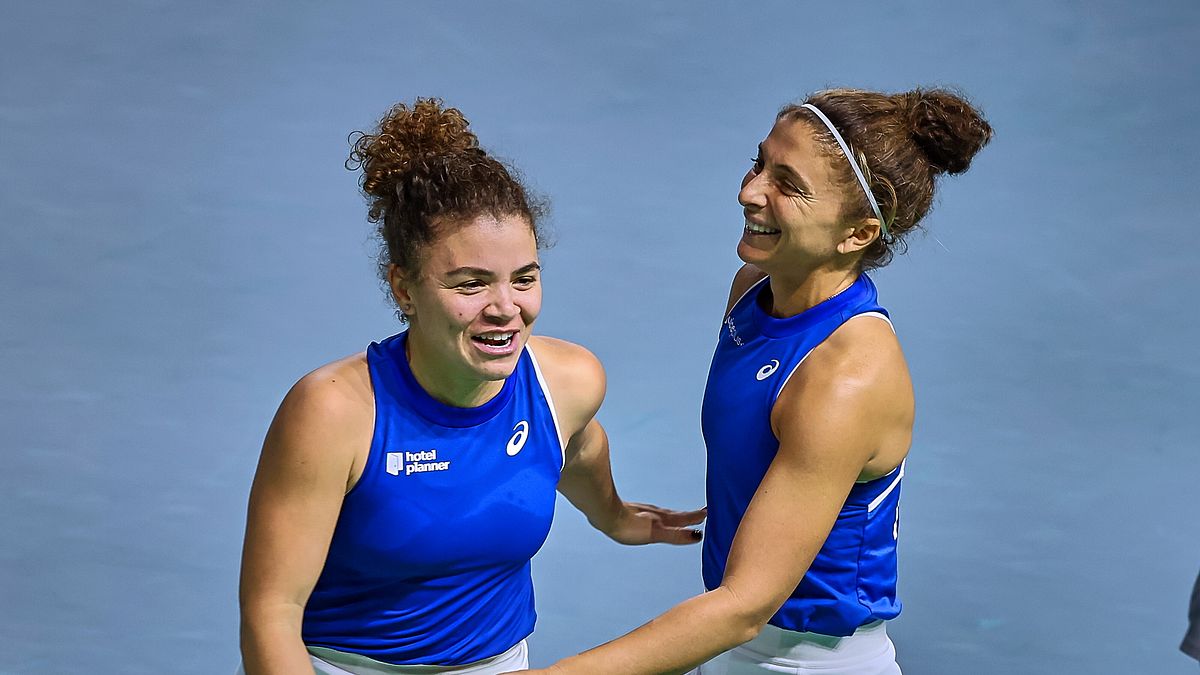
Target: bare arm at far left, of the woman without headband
[(308, 464)]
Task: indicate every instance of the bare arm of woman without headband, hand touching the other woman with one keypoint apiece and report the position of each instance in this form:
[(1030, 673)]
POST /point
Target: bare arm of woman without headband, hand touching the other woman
[(578, 384)]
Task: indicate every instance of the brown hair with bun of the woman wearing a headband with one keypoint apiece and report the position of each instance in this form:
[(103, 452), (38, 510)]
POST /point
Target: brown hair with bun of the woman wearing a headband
[(902, 142)]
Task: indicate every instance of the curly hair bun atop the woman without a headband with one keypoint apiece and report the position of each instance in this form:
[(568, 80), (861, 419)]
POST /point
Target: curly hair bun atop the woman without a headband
[(405, 140)]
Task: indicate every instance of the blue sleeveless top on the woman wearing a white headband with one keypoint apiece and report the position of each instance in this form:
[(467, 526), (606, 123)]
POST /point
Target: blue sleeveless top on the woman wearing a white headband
[(853, 580)]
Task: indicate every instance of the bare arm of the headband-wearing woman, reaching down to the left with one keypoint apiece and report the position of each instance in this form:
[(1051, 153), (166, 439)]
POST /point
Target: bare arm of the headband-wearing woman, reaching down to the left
[(830, 423)]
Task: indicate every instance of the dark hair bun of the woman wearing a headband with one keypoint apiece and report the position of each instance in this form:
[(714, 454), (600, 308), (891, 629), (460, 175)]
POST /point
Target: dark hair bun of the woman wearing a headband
[(946, 128)]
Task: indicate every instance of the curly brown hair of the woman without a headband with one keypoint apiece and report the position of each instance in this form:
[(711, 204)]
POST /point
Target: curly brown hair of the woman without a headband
[(424, 171)]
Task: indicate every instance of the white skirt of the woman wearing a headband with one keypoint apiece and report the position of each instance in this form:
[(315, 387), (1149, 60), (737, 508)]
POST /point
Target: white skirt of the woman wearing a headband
[(869, 652)]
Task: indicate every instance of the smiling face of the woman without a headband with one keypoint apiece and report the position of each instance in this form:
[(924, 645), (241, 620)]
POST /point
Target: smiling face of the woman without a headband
[(471, 307)]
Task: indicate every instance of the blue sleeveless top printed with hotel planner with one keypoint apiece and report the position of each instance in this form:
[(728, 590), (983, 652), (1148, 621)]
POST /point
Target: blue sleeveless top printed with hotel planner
[(430, 559)]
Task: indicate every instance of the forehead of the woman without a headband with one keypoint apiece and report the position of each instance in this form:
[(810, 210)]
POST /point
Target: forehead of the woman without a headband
[(500, 244)]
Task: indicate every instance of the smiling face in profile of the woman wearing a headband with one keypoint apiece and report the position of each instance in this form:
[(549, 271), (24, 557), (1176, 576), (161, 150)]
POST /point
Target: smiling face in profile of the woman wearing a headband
[(794, 205)]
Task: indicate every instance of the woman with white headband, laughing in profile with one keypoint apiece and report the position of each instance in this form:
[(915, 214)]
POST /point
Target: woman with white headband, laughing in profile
[(809, 408)]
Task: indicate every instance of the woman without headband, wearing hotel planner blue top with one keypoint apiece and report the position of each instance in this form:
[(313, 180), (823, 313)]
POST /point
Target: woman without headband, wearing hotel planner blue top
[(403, 492)]
